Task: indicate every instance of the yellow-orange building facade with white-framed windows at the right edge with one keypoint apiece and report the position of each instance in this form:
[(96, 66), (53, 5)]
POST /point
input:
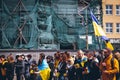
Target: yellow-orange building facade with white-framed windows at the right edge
[(111, 21)]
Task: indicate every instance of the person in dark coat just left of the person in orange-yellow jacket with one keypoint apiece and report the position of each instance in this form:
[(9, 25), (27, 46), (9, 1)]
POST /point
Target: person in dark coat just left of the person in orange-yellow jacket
[(91, 69)]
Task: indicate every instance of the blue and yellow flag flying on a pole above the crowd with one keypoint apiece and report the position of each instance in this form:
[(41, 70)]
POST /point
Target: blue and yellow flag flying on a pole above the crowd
[(100, 32)]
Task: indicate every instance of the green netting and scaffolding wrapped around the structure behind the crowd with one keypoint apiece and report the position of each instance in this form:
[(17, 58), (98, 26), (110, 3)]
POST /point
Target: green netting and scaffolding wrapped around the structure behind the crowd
[(48, 24)]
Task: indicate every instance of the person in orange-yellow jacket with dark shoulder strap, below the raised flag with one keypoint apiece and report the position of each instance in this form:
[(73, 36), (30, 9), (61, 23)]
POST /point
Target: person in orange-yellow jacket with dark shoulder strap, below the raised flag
[(108, 73)]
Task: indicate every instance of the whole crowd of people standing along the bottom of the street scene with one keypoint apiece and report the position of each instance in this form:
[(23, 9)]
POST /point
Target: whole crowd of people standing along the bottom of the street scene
[(85, 65)]
